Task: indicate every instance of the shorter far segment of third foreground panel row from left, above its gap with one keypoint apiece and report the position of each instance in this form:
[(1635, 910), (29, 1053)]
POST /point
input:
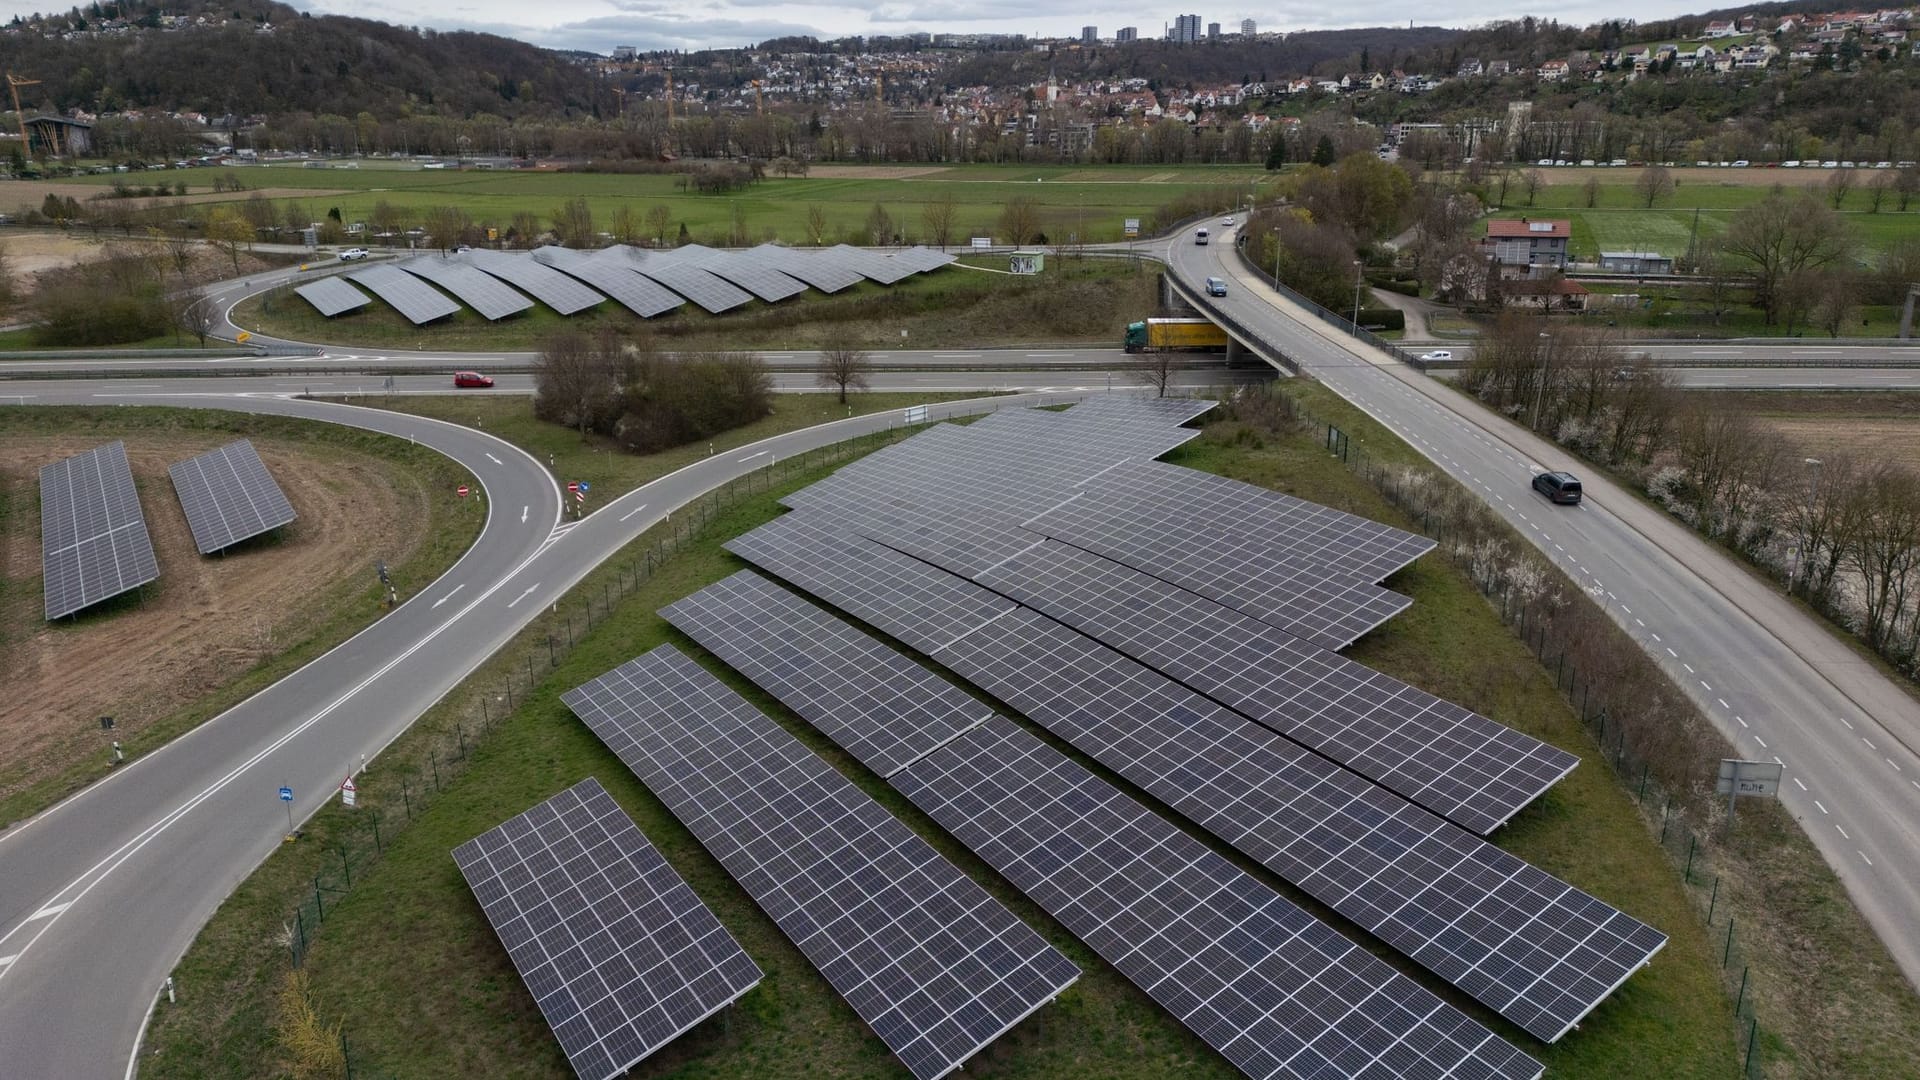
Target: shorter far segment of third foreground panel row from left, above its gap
[(884, 708)]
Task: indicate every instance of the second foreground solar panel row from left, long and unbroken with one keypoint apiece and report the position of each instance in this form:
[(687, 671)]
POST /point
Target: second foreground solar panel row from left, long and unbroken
[(921, 952)]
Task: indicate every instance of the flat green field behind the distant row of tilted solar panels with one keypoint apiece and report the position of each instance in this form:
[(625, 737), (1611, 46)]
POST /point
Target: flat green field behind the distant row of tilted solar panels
[(1092, 203)]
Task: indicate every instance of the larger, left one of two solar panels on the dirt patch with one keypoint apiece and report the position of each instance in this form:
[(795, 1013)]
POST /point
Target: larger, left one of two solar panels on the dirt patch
[(93, 535)]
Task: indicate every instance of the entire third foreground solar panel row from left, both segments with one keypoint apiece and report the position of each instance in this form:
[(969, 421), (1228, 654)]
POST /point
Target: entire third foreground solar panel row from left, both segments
[(1270, 987)]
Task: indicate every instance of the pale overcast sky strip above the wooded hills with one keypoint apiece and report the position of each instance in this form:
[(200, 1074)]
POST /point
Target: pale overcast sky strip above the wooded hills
[(598, 26)]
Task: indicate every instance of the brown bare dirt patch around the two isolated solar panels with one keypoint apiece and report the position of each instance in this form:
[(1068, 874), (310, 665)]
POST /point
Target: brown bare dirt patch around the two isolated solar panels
[(206, 620)]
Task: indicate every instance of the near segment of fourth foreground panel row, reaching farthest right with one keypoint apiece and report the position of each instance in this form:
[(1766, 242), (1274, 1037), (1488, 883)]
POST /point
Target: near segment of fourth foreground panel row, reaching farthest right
[(1516, 939)]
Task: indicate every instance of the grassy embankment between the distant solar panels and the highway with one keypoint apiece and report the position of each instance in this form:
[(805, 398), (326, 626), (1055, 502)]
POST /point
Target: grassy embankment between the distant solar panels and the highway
[(949, 308)]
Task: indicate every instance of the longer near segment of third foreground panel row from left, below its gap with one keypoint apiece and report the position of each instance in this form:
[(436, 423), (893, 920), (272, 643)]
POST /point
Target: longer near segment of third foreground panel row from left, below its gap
[(1274, 991)]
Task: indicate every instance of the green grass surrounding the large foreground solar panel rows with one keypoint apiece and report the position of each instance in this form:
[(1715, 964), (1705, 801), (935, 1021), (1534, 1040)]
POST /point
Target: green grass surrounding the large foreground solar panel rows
[(420, 985)]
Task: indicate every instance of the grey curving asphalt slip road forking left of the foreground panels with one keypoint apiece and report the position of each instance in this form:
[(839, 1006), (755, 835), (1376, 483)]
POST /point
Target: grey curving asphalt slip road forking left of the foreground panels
[(101, 895)]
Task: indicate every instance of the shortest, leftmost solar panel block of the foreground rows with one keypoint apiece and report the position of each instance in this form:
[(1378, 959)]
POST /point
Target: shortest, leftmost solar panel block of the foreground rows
[(610, 941)]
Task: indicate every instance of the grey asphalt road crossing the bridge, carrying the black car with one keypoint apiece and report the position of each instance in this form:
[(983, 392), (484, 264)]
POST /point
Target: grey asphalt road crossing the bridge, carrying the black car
[(1779, 685)]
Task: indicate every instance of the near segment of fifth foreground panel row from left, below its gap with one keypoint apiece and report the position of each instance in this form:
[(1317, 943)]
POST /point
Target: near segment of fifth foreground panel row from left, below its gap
[(1454, 762)]
